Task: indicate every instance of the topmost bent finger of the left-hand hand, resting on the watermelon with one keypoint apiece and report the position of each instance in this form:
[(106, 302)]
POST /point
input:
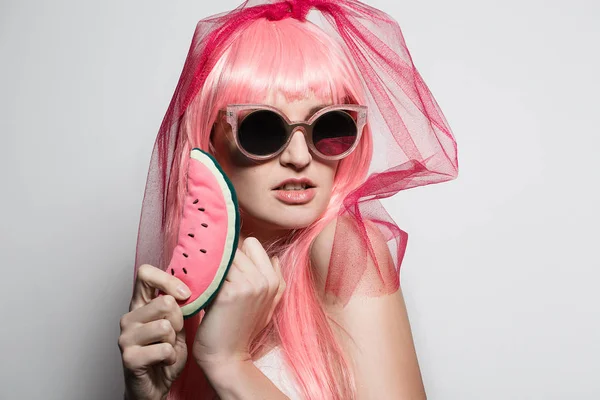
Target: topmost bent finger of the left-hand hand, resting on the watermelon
[(150, 278)]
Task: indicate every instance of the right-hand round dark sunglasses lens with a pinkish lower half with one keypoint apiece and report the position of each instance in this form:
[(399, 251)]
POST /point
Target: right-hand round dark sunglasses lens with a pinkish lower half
[(334, 133)]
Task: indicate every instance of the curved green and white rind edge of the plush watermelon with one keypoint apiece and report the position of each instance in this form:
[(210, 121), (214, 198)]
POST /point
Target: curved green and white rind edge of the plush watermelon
[(191, 309)]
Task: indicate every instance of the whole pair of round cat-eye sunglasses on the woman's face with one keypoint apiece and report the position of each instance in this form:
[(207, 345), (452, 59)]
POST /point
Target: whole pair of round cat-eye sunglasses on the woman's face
[(262, 132)]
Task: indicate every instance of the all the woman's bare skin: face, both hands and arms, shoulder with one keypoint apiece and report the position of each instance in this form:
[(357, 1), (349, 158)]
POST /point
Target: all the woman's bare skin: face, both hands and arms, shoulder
[(384, 368)]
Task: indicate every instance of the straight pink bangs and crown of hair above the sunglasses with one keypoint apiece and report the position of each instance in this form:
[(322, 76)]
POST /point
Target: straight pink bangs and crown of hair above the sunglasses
[(287, 57)]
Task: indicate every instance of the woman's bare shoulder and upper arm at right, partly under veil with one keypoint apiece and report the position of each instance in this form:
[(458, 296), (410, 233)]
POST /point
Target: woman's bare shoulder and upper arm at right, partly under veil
[(386, 367)]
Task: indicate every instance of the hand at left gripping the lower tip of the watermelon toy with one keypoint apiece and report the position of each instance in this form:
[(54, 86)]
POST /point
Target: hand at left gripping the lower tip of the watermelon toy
[(152, 339)]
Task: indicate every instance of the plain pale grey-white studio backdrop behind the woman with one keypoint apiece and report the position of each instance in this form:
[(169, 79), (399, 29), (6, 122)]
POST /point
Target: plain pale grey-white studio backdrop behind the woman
[(501, 272)]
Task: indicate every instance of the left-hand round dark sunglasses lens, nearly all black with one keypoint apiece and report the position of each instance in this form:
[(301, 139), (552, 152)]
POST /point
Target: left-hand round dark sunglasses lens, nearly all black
[(262, 133)]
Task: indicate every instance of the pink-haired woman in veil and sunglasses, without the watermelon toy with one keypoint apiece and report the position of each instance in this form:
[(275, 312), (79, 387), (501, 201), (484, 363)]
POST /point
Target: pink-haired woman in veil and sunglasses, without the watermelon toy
[(312, 306)]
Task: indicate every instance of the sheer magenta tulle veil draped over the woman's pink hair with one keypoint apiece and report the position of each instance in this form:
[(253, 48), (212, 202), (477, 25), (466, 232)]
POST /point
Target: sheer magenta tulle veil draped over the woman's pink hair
[(412, 144)]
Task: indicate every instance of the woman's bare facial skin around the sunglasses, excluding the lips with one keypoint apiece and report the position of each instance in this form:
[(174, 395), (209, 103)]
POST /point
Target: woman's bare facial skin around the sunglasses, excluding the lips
[(266, 217)]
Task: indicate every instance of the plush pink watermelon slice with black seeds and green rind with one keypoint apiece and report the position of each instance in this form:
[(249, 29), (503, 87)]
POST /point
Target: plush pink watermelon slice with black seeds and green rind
[(208, 233)]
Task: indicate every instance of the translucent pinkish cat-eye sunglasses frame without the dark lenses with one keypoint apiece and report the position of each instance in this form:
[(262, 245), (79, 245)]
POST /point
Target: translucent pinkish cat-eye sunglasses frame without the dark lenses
[(232, 112)]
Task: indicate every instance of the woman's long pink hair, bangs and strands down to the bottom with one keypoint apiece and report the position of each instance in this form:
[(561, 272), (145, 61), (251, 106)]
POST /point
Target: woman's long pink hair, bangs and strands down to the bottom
[(295, 58)]
